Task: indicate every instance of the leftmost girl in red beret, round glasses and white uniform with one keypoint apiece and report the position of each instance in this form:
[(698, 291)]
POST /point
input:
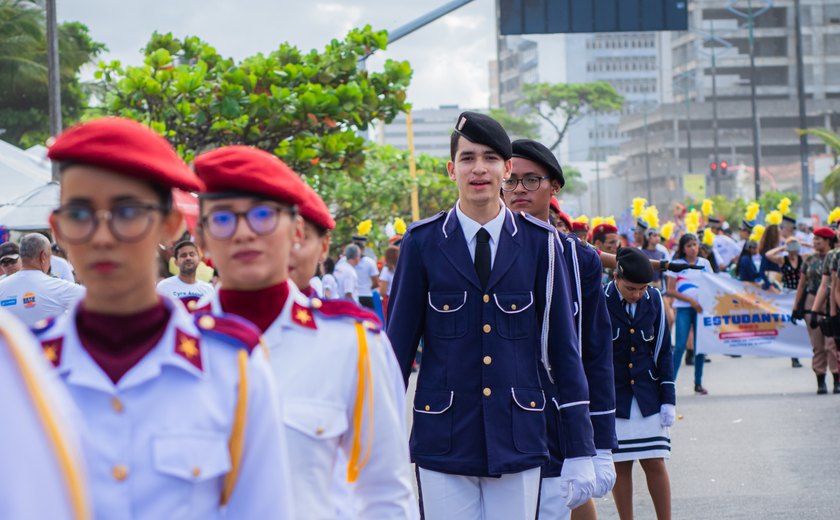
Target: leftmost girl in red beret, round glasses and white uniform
[(181, 418)]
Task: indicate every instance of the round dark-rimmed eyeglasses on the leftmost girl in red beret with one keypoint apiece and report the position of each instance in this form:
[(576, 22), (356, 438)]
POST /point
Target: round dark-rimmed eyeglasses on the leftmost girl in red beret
[(127, 222)]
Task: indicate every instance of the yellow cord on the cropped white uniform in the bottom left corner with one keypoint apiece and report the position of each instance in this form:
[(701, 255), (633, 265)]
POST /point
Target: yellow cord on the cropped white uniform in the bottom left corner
[(72, 477)]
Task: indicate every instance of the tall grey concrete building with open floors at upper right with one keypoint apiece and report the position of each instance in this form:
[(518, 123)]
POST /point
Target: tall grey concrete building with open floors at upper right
[(660, 145)]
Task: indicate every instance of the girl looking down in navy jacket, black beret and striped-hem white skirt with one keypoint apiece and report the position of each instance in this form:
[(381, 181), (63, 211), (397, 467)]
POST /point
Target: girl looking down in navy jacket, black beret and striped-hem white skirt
[(644, 382)]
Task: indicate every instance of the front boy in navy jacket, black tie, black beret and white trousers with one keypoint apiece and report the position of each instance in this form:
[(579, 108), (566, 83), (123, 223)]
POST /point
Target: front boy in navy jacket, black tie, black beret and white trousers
[(480, 285)]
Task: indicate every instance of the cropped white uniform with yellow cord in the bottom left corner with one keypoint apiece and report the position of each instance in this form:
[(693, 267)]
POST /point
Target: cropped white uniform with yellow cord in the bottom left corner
[(41, 473)]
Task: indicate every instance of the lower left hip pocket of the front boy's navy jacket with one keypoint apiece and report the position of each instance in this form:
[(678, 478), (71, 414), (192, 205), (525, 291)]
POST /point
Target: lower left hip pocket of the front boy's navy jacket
[(432, 432)]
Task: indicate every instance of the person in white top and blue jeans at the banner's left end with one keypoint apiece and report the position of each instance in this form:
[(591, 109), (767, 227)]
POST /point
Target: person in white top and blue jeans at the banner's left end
[(683, 288)]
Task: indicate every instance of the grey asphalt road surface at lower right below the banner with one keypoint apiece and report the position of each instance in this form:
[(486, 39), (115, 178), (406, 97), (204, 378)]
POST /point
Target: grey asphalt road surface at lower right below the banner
[(761, 445)]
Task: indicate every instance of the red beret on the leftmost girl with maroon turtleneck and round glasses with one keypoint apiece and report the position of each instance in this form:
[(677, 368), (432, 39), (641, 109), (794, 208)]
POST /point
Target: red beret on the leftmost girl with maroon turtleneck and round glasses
[(127, 148)]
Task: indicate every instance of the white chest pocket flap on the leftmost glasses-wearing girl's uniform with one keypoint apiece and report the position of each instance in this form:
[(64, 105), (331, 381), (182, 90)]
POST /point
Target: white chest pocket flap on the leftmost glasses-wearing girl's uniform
[(191, 456)]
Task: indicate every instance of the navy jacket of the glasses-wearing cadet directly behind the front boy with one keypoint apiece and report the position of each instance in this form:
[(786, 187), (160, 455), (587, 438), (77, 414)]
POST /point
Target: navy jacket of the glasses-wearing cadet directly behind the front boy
[(592, 323)]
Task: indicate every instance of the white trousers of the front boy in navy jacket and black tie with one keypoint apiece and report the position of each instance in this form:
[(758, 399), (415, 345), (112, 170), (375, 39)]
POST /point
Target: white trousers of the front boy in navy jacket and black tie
[(509, 497)]
